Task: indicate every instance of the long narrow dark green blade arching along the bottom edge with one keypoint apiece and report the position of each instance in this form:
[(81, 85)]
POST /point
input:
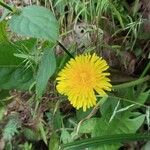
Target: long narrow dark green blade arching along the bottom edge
[(108, 139)]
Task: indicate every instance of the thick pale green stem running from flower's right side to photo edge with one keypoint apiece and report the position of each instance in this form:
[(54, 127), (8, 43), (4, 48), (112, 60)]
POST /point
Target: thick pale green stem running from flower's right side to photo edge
[(132, 83)]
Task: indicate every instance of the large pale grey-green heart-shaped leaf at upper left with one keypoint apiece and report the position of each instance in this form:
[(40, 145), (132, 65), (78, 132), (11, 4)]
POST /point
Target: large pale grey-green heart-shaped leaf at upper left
[(35, 21)]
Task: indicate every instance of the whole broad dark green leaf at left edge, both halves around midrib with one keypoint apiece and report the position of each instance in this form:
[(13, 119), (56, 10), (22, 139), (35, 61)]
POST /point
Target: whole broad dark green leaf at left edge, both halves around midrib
[(12, 76)]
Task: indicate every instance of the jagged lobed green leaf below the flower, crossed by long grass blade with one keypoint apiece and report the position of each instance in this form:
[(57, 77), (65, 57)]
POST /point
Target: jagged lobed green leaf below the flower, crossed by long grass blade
[(122, 123)]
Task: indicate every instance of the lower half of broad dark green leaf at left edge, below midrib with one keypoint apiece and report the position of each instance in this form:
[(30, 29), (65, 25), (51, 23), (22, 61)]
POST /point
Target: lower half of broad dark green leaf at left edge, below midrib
[(15, 78)]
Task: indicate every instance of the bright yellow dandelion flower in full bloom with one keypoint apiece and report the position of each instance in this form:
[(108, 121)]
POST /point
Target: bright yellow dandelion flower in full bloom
[(81, 78)]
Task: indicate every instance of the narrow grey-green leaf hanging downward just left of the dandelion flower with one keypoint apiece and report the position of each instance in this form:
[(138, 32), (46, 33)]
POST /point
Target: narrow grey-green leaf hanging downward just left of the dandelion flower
[(46, 69)]
